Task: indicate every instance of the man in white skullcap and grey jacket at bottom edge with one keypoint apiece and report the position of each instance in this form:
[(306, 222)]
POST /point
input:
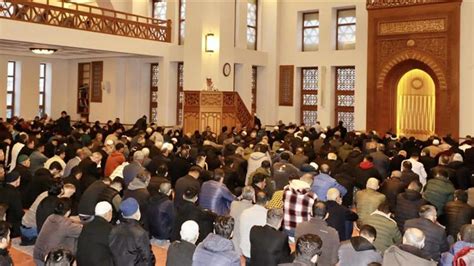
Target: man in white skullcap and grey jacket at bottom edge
[(180, 252)]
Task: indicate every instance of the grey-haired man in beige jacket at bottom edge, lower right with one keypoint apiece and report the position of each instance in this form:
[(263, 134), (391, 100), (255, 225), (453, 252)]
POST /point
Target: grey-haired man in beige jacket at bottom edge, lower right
[(410, 252)]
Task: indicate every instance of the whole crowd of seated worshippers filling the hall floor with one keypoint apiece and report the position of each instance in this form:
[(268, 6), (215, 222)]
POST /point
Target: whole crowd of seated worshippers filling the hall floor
[(292, 194)]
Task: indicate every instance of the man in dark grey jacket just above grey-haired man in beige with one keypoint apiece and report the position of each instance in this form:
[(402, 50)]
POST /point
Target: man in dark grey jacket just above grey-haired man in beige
[(435, 242)]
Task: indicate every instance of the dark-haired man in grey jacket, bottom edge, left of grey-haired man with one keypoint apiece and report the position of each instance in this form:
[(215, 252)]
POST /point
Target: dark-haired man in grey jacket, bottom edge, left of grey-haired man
[(359, 250)]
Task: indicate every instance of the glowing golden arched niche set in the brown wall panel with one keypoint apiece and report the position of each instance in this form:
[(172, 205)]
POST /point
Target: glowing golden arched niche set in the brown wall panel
[(416, 104)]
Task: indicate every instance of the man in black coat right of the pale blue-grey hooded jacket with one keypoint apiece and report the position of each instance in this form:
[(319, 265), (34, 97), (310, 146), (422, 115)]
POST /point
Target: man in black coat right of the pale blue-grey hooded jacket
[(268, 245)]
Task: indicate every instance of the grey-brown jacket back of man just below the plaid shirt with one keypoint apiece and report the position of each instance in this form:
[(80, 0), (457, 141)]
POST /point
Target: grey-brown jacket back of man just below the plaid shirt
[(328, 235)]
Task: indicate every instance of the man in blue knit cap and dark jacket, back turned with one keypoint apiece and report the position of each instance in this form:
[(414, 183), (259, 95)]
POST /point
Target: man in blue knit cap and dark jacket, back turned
[(128, 240)]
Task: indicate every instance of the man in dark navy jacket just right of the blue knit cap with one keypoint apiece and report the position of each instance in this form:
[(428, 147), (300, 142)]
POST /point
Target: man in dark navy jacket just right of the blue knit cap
[(161, 213)]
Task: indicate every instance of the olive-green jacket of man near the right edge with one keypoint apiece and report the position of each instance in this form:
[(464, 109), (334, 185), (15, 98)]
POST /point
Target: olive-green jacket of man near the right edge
[(439, 191)]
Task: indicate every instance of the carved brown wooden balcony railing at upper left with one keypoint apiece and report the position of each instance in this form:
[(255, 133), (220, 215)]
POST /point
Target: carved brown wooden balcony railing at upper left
[(85, 17)]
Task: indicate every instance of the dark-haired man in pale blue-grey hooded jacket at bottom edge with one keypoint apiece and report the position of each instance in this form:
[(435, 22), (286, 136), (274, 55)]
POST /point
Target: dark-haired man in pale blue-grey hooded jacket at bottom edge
[(217, 249)]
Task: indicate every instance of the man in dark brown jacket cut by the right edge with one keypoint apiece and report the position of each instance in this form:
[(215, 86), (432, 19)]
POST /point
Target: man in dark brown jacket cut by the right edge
[(458, 213)]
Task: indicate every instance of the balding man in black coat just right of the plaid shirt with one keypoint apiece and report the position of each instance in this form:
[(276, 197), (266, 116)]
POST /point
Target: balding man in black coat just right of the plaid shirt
[(340, 217)]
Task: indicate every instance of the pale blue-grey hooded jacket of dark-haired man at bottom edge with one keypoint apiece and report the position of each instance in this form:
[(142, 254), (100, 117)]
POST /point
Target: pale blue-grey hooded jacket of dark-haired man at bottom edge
[(216, 251)]
